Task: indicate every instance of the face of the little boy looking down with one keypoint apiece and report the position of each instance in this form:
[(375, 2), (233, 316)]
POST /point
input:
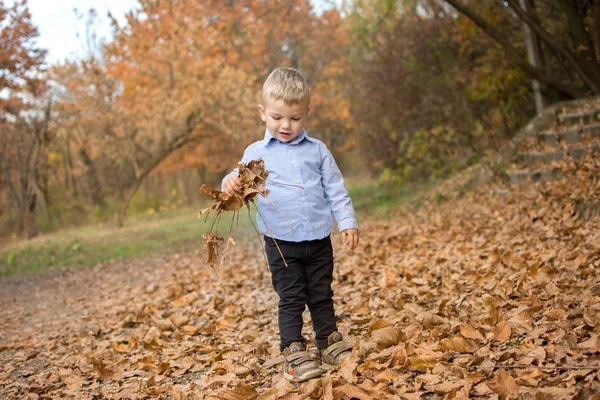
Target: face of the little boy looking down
[(284, 122)]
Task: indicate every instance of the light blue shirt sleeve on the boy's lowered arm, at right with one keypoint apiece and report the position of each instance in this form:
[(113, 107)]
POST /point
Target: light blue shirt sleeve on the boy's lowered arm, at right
[(335, 192)]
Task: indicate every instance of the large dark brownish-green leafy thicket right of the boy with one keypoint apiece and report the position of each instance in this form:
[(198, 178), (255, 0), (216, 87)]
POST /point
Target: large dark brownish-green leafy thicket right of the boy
[(429, 95)]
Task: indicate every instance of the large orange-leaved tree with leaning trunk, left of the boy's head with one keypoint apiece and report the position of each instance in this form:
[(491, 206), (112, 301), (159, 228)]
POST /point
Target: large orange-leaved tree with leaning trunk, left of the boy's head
[(176, 84)]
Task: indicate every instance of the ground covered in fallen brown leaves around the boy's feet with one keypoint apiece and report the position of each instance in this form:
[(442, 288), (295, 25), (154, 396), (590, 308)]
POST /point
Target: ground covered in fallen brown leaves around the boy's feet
[(490, 294)]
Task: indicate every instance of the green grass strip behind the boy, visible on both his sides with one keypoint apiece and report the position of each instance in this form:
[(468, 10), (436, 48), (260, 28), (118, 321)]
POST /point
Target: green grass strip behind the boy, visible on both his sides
[(173, 231)]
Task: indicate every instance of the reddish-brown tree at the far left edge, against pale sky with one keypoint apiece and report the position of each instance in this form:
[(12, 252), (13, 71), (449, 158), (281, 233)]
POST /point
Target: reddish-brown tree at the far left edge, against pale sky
[(24, 115)]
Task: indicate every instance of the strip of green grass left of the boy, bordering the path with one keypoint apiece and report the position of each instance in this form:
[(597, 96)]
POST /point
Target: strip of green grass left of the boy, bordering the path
[(174, 231)]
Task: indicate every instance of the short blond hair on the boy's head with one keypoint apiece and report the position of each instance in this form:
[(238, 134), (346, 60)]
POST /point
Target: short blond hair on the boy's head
[(287, 84)]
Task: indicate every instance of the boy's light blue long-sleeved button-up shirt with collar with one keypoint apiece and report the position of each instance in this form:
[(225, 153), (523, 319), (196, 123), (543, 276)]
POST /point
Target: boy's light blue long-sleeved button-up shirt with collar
[(305, 162)]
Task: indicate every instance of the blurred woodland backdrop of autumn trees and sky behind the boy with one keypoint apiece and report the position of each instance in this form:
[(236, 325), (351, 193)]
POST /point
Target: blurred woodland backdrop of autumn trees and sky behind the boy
[(161, 99)]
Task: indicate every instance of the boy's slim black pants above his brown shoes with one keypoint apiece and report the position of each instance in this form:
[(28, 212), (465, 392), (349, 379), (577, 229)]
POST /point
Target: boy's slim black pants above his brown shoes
[(305, 281)]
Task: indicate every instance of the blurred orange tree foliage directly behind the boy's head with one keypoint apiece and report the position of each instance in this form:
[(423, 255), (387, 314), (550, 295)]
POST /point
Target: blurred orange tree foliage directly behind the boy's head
[(313, 42)]
